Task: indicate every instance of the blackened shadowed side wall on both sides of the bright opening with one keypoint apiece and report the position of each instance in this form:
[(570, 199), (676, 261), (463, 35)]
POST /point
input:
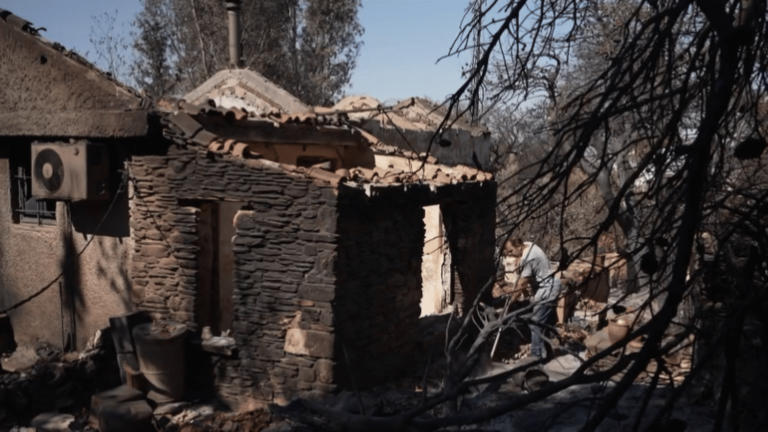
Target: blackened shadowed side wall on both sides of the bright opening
[(381, 245)]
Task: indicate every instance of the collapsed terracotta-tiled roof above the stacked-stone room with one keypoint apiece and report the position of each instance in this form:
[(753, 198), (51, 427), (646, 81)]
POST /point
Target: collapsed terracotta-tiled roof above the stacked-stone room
[(267, 139)]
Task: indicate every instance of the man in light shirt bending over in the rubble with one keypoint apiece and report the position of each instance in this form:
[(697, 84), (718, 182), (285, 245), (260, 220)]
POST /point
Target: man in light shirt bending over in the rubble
[(535, 273)]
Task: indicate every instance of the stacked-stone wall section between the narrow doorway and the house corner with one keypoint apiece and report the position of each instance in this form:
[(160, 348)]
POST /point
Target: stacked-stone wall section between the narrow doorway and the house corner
[(284, 283)]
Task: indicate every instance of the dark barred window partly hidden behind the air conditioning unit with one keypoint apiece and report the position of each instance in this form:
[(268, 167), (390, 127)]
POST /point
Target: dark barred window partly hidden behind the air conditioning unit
[(26, 208)]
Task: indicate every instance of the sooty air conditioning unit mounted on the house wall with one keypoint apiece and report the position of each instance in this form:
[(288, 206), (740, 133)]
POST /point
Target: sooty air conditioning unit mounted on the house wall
[(70, 171)]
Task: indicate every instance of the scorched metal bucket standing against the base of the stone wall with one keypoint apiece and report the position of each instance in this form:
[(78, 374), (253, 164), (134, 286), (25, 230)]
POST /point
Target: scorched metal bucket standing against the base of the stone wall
[(160, 351)]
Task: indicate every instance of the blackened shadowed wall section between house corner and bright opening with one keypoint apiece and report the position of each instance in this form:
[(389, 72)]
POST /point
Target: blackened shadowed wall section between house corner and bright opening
[(379, 282)]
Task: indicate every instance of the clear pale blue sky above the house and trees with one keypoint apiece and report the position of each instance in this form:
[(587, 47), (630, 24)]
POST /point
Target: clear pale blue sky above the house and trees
[(402, 41)]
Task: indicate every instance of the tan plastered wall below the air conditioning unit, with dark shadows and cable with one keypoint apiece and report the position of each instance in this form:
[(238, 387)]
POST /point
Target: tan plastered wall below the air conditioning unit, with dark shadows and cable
[(32, 256)]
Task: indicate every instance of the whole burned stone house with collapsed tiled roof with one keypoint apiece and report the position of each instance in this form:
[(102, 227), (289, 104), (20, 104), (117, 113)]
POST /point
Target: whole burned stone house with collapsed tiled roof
[(298, 231)]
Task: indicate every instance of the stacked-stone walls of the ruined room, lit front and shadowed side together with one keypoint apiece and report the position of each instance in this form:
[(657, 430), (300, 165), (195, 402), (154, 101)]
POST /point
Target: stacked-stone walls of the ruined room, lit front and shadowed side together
[(316, 270)]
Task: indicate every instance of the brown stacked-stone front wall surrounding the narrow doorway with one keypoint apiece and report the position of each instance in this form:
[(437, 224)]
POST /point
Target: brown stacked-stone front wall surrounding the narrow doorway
[(284, 248)]
